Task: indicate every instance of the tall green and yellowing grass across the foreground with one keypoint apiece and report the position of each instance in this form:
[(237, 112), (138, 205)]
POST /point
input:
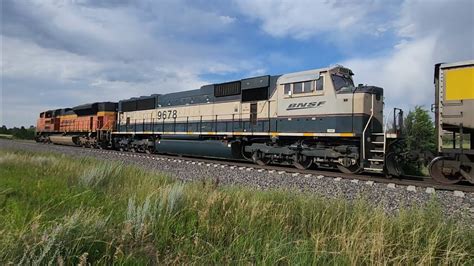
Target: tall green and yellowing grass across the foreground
[(63, 210)]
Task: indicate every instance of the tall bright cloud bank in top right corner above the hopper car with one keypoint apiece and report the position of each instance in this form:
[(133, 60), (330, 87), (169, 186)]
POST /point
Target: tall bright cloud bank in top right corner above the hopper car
[(428, 34)]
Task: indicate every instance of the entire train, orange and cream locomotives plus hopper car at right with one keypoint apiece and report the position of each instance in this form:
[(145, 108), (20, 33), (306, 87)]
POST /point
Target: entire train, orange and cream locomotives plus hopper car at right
[(315, 118)]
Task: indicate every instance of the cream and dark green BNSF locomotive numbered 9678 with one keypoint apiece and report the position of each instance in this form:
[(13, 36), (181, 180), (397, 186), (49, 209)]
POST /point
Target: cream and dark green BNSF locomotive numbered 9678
[(310, 118)]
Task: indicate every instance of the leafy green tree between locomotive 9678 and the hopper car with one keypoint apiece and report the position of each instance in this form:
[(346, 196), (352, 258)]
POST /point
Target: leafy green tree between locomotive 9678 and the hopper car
[(419, 138)]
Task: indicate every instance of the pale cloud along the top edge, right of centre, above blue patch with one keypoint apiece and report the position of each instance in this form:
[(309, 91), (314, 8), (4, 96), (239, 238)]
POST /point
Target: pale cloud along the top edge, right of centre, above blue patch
[(303, 19)]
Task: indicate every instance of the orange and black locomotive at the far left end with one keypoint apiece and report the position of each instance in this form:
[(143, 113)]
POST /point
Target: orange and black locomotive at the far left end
[(88, 125)]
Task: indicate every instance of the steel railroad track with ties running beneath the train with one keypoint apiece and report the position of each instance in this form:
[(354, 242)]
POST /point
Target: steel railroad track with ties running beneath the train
[(415, 181)]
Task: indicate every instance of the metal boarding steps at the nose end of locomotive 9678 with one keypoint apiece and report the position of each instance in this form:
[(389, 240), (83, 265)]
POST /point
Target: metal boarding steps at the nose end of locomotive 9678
[(376, 155)]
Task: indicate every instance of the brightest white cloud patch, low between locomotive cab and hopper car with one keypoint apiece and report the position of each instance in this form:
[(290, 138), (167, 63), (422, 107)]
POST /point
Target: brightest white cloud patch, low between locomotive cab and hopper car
[(406, 74)]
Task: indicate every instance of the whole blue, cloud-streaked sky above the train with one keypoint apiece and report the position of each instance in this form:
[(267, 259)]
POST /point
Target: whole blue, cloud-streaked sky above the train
[(57, 54)]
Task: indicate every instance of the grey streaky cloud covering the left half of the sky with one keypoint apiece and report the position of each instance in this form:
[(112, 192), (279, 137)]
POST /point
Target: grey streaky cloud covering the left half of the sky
[(62, 53)]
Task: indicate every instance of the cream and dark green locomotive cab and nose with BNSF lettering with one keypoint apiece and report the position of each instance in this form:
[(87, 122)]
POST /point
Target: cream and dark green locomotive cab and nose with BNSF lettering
[(328, 102)]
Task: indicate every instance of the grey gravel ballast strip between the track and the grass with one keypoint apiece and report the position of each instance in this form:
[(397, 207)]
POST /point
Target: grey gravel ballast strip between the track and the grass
[(390, 197)]
